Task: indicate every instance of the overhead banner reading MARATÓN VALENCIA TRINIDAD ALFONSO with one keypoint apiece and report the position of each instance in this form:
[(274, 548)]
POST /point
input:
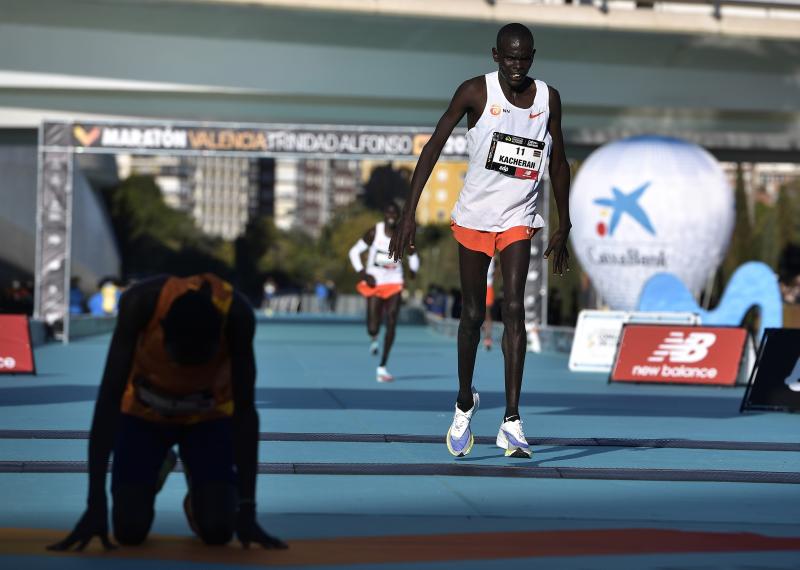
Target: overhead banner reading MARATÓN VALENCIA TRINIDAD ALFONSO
[(310, 140)]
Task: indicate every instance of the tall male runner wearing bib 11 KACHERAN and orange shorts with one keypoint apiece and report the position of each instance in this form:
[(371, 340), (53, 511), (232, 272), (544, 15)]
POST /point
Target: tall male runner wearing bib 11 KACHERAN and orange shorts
[(514, 127)]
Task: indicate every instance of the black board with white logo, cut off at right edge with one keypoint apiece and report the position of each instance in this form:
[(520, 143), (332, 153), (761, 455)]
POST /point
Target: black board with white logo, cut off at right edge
[(775, 382)]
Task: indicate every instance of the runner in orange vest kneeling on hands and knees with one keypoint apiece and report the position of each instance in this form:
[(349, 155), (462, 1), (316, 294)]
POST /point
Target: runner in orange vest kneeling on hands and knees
[(180, 370)]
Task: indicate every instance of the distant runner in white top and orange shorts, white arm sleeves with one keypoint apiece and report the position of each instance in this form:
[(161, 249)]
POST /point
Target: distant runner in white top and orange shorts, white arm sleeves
[(381, 283)]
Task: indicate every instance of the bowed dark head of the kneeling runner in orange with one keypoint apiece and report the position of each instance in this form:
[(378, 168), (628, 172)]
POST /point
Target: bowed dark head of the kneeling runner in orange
[(192, 329)]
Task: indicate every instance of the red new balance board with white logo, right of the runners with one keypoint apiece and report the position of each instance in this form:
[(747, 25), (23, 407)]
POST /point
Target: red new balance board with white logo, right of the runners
[(679, 354)]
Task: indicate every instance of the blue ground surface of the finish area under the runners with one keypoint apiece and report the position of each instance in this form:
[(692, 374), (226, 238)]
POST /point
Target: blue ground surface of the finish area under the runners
[(356, 473)]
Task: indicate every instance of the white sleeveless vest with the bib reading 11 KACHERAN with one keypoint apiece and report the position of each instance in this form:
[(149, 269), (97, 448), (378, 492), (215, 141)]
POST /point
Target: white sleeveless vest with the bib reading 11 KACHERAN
[(501, 188)]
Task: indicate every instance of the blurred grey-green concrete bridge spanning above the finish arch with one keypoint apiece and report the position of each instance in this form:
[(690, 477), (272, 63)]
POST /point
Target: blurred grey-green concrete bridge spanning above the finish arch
[(265, 62)]
